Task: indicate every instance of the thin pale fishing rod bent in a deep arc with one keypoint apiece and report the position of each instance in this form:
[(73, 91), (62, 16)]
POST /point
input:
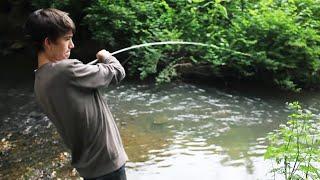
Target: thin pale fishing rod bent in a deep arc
[(172, 42)]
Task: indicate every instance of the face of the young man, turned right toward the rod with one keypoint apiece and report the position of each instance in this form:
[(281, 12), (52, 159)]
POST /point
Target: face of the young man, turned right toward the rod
[(61, 48)]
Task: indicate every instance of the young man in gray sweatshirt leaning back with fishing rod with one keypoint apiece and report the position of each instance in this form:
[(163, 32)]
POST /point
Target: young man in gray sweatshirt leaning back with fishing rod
[(68, 92)]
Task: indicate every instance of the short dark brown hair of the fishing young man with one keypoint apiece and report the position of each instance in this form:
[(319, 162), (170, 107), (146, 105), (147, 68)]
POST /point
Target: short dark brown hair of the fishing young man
[(51, 23)]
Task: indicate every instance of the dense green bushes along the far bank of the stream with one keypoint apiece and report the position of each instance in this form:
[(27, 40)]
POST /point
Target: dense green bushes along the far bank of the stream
[(281, 36)]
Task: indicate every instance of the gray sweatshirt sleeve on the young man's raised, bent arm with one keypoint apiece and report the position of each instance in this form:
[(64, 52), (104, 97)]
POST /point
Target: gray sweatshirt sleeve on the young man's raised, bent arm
[(95, 76)]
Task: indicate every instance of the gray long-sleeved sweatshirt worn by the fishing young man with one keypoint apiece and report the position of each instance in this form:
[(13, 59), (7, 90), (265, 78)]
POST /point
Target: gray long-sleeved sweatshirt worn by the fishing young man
[(68, 92)]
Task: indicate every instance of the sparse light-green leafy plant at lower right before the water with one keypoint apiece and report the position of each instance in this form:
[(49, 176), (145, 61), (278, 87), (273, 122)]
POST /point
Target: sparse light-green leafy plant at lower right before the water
[(295, 146)]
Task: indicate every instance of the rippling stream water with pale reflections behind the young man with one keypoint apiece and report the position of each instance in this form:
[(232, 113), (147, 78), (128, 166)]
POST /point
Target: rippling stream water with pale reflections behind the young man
[(179, 131)]
